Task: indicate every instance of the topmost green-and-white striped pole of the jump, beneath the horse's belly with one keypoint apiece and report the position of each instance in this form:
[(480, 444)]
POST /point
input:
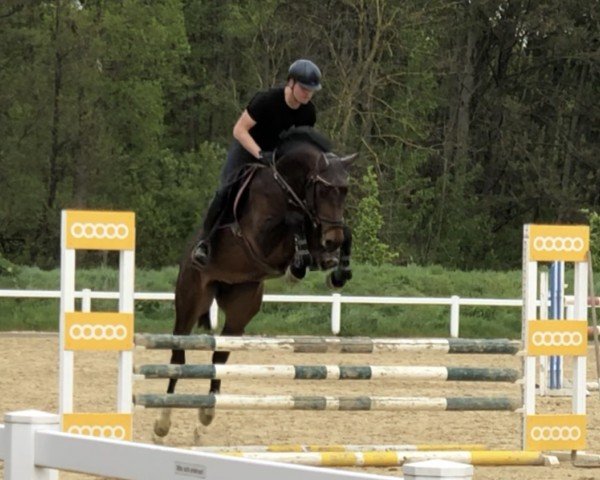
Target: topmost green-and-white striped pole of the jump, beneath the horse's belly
[(326, 344)]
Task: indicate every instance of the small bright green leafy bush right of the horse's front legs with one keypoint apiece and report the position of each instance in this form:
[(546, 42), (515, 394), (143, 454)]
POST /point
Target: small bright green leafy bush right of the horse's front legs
[(367, 248)]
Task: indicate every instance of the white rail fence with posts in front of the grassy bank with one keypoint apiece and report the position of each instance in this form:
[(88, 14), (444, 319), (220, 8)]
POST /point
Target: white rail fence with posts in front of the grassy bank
[(336, 300)]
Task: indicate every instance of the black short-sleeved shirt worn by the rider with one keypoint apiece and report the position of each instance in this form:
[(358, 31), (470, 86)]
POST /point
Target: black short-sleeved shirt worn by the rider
[(273, 116)]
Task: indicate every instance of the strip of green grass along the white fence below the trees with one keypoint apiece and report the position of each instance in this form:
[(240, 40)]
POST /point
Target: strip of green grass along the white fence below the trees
[(298, 318)]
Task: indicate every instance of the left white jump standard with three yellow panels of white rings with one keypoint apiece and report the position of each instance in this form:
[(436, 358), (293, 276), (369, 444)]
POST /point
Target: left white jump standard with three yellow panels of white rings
[(99, 331)]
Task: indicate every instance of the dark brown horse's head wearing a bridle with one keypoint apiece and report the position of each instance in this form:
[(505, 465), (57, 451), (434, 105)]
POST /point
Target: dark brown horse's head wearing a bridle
[(326, 190)]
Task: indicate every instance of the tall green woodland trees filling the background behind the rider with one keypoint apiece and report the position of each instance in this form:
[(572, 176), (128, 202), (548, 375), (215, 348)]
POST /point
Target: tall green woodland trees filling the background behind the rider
[(476, 117)]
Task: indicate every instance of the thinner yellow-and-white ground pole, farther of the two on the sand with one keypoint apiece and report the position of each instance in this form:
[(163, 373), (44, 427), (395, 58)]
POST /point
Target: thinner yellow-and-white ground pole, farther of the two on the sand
[(338, 448)]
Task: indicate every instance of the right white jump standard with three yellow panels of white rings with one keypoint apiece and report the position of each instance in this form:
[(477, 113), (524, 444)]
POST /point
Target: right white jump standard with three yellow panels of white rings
[(547, 243)]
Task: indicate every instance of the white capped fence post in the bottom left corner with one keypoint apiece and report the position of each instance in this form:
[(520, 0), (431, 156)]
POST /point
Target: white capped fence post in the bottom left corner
[(20, 428)]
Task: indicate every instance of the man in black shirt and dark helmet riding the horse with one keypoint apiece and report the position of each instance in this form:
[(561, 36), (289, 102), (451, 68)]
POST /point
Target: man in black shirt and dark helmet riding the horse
[(256, 134)]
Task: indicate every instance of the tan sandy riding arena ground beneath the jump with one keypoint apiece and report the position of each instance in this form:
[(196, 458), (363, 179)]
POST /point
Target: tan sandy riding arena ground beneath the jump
[(29, 380)]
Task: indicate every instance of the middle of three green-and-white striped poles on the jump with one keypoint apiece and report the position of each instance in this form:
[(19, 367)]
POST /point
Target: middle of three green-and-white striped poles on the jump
[(329, 372)]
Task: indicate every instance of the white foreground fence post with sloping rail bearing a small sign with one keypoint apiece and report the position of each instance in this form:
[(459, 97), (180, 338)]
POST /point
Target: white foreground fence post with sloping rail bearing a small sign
[(32, 448)]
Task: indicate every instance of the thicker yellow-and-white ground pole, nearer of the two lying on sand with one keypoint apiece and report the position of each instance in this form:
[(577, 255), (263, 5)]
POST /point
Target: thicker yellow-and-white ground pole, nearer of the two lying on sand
[(394, 458)]
